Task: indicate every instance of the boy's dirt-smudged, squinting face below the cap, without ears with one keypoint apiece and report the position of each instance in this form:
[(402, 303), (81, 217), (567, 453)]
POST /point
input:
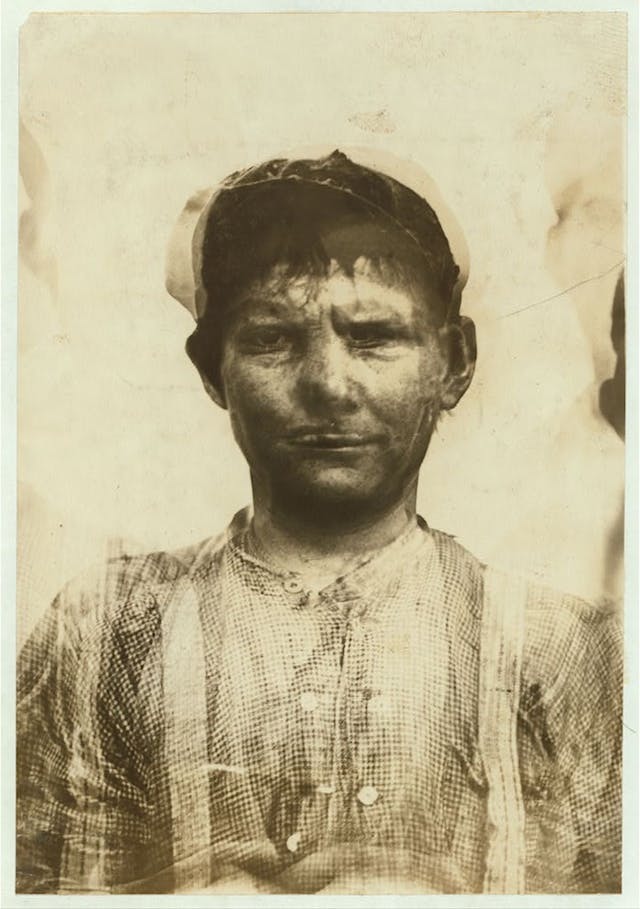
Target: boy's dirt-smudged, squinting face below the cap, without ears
[(333, 384)]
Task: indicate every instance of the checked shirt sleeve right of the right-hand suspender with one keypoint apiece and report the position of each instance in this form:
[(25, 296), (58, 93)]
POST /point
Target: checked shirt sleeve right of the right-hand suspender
[(571, 721)]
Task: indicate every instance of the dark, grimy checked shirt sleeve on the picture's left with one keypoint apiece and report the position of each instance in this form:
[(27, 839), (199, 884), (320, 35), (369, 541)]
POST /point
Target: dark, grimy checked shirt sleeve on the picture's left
[(82, 801)]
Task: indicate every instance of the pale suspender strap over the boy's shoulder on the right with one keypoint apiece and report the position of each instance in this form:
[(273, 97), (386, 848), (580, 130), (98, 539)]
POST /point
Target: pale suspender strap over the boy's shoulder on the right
[(501, 639)]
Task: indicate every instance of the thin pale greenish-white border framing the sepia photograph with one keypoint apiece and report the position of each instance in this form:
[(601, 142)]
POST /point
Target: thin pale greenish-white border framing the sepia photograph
[(13, 15)]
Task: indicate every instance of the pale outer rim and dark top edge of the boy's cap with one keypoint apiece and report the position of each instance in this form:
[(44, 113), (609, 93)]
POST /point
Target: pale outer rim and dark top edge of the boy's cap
[(416, 209)]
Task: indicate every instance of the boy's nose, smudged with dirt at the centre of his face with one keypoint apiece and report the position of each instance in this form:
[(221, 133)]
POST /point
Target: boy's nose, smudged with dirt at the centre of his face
[(325, 380)]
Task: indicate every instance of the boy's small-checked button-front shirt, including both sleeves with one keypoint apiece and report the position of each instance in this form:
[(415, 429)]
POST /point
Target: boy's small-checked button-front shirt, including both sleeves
[(198, 721)]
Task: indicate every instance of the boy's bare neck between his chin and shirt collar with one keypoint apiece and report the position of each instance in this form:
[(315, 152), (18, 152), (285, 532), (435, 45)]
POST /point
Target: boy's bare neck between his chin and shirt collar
[(295, 541)]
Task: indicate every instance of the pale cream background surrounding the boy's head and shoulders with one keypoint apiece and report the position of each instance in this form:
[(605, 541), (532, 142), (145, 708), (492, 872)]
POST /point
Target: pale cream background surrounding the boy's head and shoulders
[(519, 118)]
